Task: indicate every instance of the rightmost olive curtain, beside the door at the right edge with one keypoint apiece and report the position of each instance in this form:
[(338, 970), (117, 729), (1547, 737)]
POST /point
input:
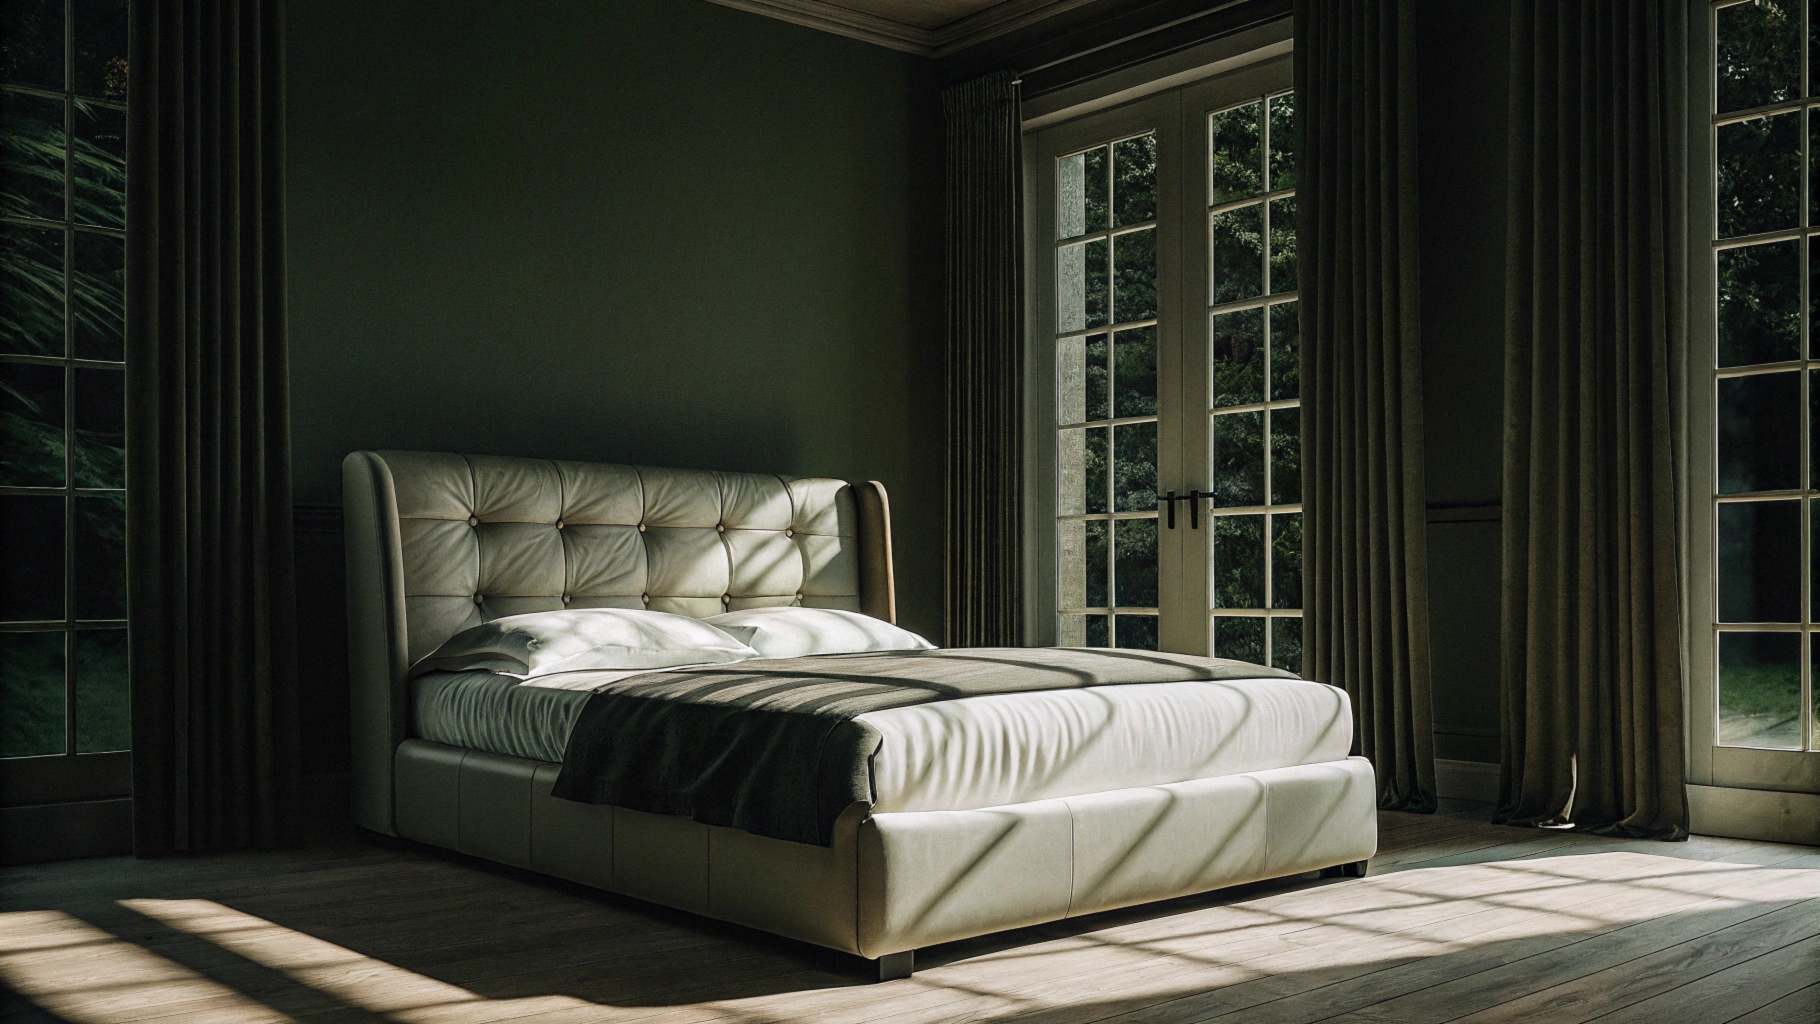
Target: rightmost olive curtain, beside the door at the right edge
[(1595, 390)]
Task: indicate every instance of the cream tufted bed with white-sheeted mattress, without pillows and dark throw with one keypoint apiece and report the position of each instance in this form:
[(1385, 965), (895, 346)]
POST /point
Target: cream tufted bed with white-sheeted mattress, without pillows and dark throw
[(987, 812)]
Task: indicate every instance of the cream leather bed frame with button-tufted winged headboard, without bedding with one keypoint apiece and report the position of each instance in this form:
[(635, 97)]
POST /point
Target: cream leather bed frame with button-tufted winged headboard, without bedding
[(440, 543)]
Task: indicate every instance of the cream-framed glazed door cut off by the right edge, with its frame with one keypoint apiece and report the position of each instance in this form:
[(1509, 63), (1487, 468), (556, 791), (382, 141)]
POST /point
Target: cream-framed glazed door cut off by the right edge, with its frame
[(1755, 401)]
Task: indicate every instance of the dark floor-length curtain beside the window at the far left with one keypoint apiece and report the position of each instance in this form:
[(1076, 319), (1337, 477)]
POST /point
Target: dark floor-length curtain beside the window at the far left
[(214, 678)]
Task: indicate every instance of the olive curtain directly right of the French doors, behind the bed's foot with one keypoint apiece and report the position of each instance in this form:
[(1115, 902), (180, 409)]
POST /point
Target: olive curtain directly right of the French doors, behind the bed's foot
[(1366, 563)]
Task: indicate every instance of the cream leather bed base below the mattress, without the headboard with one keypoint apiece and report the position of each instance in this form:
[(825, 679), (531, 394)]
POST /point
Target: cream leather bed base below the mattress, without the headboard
[(898, 881)]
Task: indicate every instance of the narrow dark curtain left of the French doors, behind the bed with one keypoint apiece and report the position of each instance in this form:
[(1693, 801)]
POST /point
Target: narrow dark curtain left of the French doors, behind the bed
[(986, 363)]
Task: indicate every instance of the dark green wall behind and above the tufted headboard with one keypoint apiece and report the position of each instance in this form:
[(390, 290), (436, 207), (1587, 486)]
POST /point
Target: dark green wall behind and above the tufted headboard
[(614, 230)]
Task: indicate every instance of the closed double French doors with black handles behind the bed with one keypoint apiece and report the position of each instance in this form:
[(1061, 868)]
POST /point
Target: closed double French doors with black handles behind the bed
[(1164, 374)]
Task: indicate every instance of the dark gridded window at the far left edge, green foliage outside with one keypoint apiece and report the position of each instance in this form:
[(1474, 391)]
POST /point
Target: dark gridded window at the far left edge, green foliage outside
[(63, 379)]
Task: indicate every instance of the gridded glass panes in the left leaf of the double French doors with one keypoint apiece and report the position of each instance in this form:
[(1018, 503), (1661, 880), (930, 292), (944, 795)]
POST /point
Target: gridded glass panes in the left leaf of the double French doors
[(1106, 396)]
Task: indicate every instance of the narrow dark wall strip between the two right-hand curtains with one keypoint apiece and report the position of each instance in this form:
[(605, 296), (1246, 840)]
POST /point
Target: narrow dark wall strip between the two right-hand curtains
[(1462, 121)]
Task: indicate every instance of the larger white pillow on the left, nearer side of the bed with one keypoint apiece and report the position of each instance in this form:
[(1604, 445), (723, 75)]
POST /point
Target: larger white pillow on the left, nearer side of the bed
[(543, 643)]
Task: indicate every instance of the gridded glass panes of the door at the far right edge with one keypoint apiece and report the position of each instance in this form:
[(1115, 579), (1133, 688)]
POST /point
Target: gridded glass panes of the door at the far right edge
[(1763, 366)]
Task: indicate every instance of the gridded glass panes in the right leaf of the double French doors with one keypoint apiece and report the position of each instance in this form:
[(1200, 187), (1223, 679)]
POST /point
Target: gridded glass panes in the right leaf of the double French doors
[(1257, 396)]
